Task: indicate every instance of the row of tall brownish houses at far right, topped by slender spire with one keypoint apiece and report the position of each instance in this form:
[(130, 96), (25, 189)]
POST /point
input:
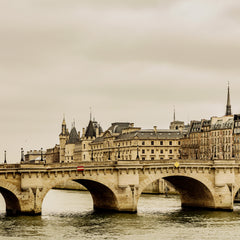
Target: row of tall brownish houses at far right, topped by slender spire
[(216, 138)]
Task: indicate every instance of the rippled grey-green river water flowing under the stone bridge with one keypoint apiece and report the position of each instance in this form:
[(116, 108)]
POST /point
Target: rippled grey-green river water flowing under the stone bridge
[(69, 215)]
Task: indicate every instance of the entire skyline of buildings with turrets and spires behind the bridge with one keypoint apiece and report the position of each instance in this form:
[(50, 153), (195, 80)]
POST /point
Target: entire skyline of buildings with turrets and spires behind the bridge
[(214, 138)]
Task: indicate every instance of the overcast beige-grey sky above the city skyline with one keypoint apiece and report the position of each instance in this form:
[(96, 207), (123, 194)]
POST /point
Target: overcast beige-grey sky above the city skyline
[(130, 60)]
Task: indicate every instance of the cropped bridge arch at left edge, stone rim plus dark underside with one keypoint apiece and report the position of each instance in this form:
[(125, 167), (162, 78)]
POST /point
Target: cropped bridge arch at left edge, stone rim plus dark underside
[(10, 193)]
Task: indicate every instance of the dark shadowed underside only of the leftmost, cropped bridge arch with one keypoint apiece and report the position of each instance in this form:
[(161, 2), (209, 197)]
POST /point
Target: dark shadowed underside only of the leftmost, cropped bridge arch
[(12, 202)]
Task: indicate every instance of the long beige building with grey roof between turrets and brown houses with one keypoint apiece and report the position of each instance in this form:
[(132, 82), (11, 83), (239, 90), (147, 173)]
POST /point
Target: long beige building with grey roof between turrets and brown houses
[(126, 142)]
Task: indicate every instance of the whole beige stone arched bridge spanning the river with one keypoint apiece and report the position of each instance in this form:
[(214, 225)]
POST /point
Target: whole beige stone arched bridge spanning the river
[(117, 185)]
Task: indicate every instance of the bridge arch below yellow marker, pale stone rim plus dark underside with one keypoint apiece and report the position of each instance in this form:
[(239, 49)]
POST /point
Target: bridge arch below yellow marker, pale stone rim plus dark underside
[(194, 192)]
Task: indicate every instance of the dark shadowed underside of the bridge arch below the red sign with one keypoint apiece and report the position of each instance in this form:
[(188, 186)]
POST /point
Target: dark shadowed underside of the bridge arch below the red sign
[(103, 197)]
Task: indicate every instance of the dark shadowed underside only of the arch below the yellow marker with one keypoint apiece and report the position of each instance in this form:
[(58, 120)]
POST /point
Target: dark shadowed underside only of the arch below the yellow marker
[(193, 193)]
